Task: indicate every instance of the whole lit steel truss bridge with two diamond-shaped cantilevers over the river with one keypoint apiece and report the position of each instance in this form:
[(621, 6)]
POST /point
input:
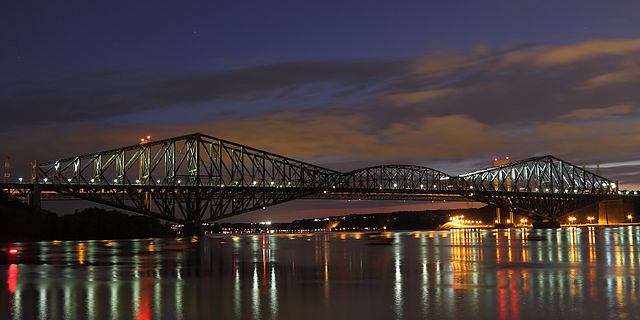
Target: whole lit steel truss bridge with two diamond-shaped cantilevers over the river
[(198, 178)]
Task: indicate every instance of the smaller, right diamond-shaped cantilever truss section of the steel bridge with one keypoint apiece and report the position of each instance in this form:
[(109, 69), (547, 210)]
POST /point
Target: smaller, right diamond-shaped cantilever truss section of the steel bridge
[(541, 187)]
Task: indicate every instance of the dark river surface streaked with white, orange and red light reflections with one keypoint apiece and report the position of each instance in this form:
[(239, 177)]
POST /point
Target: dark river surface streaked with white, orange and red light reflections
[(575, 273)]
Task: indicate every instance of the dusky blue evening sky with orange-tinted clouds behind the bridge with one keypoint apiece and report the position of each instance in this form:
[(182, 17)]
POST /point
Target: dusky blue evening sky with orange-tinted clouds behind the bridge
[(444, 84)]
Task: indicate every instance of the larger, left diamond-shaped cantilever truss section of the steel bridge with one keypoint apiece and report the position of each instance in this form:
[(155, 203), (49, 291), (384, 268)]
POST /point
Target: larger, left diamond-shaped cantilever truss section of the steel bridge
[(190, 178)]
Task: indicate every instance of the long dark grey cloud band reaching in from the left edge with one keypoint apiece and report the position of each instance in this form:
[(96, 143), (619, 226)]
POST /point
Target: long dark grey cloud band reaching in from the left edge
[(100, 95)]
